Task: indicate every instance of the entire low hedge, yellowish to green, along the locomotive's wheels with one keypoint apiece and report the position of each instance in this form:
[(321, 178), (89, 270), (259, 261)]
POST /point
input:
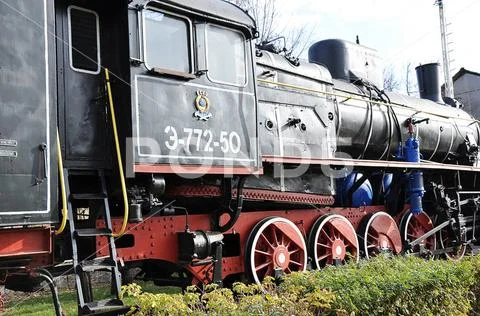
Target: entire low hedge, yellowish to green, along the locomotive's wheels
[(382, 286)]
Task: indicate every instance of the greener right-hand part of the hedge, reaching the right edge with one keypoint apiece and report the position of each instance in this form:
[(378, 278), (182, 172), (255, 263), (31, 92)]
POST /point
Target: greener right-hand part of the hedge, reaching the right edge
[(399, 286)]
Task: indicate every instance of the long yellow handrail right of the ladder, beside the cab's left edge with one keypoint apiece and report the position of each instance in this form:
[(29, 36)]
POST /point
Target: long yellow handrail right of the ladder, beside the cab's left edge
[(119, 157)]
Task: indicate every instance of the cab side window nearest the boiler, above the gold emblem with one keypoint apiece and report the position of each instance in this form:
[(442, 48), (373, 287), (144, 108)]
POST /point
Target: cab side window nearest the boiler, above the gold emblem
[(226, 56)]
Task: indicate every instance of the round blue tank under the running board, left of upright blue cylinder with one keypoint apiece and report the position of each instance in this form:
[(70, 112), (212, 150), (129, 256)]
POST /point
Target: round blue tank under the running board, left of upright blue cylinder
[(363, 196)]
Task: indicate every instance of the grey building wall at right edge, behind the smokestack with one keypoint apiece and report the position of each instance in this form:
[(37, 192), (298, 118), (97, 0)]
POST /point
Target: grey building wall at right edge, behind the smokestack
[(467, 91)]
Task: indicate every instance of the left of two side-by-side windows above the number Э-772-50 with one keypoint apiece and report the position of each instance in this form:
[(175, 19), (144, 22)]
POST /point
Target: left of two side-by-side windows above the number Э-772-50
[(167, 41)]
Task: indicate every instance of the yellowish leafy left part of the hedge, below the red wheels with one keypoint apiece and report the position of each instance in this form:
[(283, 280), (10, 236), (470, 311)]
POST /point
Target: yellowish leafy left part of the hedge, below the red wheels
[(240, 300)]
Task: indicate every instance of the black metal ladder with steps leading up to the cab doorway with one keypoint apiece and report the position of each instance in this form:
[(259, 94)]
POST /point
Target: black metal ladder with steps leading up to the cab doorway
[(83, 268)]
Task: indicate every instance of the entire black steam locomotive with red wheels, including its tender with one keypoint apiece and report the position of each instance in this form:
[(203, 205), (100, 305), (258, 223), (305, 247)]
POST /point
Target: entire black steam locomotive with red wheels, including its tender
[(184, 155)]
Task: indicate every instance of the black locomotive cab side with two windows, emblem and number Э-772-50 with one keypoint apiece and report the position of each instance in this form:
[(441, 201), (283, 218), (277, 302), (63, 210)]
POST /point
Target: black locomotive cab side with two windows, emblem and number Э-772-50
[(193, 89)]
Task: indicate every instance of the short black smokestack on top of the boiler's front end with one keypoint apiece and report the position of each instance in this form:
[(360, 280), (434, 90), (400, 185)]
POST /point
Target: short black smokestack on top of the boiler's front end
[(429, 82)]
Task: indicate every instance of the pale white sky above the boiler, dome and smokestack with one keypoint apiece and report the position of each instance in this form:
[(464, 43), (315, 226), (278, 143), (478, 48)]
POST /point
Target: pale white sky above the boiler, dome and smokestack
[(402, 31)]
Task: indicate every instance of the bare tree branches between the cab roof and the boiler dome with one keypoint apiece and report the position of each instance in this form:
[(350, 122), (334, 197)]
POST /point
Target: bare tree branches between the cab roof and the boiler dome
[(267, 16)]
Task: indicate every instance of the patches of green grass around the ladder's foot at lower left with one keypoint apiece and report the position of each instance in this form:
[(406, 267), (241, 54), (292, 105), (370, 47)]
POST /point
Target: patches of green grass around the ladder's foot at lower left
[(42, 304)]
